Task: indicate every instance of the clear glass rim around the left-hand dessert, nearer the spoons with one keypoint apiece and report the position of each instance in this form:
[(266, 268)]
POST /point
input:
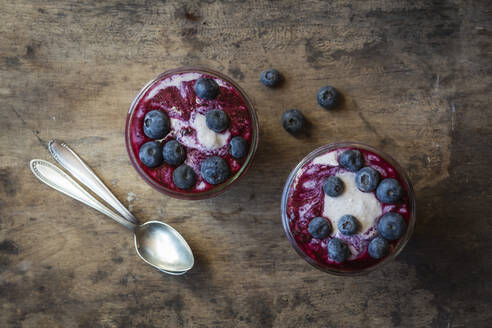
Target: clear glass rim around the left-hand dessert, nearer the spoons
[(217, 189)]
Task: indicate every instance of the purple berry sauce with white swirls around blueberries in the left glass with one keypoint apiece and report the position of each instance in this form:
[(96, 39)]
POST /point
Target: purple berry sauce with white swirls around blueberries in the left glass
[(174, 95)]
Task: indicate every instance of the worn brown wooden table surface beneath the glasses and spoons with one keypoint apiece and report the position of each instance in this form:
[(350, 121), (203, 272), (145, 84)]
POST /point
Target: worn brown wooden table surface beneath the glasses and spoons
[(416, 77)]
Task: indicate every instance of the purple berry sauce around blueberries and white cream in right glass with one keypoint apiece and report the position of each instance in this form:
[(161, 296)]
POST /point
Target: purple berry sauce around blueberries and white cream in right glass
[(306, 201)]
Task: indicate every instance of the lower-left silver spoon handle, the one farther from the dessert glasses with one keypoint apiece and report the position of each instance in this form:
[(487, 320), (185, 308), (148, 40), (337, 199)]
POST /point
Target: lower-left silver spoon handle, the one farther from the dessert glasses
[(59, 180)]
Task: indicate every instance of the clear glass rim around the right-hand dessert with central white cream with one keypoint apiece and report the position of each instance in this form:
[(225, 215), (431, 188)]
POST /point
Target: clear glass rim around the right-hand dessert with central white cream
[(401, 243)]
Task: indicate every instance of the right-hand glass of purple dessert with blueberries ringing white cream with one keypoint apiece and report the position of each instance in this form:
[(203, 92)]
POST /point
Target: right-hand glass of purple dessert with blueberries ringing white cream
[(348, 208)]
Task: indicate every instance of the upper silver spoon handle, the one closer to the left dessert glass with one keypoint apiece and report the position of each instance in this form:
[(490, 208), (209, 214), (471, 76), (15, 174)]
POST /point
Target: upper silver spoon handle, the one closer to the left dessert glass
[(69, 160)]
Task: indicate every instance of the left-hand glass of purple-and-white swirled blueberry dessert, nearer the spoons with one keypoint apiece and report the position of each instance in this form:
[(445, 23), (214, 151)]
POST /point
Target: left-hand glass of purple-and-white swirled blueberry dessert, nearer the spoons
[(191, 133)]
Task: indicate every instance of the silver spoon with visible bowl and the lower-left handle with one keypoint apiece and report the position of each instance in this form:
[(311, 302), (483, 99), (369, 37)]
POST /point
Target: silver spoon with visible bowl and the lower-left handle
[(157, 243)]
